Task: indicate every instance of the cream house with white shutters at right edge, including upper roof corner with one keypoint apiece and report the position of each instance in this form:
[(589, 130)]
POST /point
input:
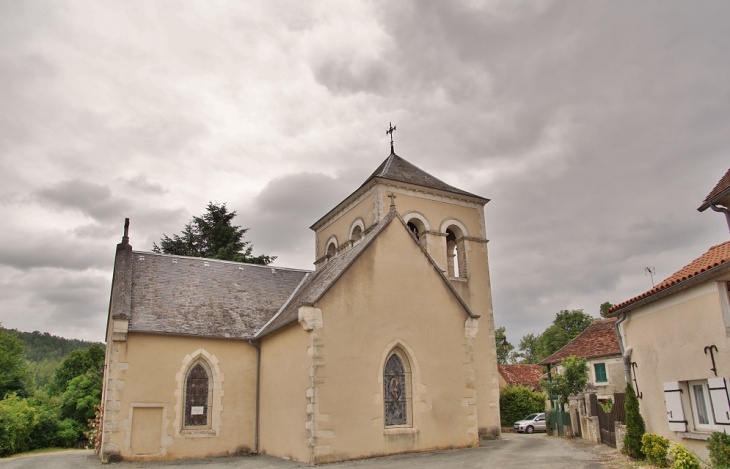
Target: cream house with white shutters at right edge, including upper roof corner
[(676, 338)]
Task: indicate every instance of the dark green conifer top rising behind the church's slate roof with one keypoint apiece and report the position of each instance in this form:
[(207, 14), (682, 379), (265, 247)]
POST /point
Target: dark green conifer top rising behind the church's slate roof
[(212, 236)]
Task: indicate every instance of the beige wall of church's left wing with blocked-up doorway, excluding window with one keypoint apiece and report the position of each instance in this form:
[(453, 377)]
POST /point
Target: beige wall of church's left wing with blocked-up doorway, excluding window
[(144, 397)]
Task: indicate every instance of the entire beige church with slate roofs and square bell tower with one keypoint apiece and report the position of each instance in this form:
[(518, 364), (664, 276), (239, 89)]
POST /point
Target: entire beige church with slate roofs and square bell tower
[(386, 347)]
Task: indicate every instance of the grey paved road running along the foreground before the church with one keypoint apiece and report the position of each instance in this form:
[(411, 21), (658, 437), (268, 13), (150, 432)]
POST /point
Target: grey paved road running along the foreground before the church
[(511, 452)]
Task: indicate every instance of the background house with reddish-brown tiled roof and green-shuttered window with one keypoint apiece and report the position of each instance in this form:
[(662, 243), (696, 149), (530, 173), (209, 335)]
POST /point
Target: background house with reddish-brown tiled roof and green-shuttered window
[(598, 343)]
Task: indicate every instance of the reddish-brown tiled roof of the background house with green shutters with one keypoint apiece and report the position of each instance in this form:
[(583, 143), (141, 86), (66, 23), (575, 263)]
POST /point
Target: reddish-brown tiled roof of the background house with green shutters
[(597, 340)]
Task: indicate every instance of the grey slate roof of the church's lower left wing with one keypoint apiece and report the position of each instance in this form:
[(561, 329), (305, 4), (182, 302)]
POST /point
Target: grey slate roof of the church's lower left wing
[(206, 297)]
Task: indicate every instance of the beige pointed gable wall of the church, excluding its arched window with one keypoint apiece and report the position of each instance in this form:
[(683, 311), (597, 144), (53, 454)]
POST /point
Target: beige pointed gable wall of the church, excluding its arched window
[(391, 297)]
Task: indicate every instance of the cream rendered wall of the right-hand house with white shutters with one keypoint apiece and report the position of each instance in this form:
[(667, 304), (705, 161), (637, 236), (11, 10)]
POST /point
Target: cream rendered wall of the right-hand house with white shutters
[(668, 339)]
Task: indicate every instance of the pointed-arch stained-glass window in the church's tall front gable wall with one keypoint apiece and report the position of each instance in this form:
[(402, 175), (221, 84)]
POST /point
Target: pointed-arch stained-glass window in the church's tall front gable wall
[(396, 392)]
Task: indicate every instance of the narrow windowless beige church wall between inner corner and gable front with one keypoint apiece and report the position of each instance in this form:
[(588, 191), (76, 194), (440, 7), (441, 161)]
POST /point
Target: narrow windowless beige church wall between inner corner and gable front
[(285, 364)]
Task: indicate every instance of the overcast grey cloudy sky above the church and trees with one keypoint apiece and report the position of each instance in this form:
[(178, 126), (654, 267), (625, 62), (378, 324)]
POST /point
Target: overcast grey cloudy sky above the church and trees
[(596, 129)]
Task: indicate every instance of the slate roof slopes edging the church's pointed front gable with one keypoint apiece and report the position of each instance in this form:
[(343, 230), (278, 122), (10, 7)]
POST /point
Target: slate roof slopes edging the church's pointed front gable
[(317, 283)]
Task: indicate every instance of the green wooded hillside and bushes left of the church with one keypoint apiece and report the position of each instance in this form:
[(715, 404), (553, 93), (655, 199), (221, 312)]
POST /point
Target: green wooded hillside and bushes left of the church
[(50, 391)]
